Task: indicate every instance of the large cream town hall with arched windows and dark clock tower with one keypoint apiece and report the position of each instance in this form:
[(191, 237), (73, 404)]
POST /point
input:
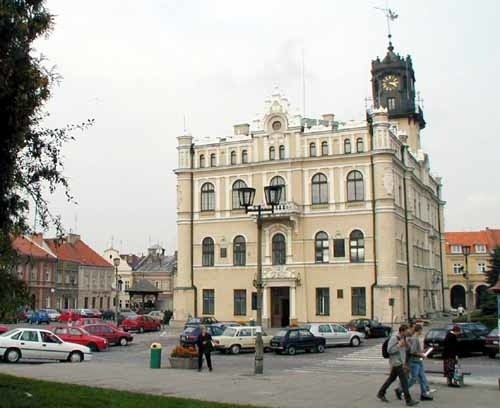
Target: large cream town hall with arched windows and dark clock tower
[(357, 231)]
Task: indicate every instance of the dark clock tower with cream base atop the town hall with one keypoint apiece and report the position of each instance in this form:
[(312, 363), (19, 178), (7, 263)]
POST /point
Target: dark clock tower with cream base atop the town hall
[(393, 88)]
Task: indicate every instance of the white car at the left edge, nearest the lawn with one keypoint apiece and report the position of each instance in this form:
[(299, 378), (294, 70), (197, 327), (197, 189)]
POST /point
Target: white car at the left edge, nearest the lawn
[(38, 344)]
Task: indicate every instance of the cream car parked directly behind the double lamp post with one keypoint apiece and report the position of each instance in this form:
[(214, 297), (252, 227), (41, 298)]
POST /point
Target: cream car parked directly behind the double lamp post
[(235, 339)]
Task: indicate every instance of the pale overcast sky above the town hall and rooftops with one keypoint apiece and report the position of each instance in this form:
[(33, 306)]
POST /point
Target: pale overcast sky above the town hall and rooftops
[(142, 69)]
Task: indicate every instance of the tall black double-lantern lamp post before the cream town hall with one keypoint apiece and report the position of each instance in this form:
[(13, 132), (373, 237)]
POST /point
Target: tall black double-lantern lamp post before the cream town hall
[(246, 196)]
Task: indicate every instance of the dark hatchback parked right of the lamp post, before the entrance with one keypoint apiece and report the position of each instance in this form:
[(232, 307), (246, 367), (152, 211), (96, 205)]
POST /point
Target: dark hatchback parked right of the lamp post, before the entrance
[(290, 340)]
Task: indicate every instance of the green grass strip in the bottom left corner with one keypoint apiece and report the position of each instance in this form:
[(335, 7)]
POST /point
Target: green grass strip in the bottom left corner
[(16, 392)]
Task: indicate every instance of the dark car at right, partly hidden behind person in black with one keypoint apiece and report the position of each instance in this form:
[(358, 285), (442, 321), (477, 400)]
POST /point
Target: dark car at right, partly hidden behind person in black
[(468, 341)]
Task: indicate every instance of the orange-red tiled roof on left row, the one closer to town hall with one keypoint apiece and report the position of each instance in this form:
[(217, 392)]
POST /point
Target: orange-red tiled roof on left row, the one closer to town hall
[(77, 251)]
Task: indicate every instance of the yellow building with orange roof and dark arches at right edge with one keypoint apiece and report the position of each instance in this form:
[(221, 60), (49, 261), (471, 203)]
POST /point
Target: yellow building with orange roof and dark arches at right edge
[(466, 275)]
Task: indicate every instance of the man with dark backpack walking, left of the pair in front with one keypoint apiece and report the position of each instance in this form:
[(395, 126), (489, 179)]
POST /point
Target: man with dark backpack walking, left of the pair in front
[(397, 349)]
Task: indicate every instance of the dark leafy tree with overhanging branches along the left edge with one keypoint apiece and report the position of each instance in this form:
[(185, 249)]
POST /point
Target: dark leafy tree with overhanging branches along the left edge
[(30, 155)]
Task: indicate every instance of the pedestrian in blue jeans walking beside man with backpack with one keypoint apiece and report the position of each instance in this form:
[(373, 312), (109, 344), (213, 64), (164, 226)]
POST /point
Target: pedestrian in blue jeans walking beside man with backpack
[(417, 370)]
